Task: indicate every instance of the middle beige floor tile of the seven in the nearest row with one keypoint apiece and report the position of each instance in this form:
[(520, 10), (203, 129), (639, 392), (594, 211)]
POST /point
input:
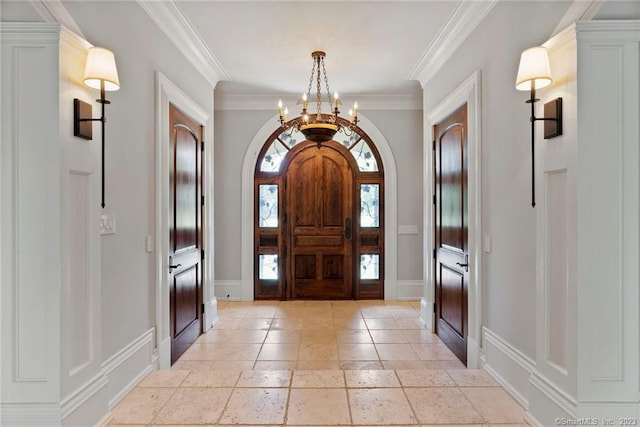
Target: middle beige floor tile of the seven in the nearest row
[(324, 406)]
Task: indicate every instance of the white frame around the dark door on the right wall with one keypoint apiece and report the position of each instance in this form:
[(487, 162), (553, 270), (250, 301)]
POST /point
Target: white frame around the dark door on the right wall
[(468, 92)]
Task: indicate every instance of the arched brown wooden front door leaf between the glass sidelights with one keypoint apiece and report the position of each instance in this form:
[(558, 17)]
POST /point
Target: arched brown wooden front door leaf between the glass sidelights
[(319, 212)]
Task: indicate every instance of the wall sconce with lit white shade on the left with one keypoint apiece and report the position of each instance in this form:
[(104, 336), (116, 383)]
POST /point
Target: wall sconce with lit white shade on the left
[(100, 73)]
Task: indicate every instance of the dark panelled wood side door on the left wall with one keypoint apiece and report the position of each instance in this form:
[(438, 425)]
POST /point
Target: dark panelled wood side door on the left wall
[(185, 234)]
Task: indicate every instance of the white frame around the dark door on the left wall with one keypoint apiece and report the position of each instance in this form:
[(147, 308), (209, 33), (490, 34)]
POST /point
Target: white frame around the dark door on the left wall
[(167, 92)]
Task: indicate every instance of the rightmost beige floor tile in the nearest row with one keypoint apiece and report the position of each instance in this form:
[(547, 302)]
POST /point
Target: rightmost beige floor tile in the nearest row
[(494, 404)]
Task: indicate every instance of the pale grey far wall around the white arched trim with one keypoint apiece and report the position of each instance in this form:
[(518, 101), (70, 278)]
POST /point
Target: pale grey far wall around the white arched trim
[(235, 129)]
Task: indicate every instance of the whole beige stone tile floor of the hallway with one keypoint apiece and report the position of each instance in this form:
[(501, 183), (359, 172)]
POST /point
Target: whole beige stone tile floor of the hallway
[(318, 363)]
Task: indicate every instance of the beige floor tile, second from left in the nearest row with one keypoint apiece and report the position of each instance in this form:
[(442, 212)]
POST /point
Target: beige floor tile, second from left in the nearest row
[(194, 406)]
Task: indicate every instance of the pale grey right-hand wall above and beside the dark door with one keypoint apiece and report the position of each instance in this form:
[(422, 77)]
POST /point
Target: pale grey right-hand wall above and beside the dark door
[(509, 271)]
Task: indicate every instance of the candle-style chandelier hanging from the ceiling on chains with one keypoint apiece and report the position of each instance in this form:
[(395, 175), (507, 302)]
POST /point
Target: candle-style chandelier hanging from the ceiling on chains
[(318, 127)]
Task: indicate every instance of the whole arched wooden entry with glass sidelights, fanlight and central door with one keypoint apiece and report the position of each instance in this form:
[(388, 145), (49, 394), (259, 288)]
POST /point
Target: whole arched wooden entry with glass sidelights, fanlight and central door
[(319, 218)]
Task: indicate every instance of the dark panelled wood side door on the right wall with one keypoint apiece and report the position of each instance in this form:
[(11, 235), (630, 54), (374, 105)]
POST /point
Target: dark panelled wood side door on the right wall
[(451, 233)]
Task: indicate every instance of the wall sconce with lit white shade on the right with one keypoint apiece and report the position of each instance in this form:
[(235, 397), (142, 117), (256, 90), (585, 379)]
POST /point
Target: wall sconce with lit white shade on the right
[(534, 73)]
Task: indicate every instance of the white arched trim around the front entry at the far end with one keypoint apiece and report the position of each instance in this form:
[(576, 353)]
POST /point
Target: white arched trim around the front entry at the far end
[(390, 212)]
